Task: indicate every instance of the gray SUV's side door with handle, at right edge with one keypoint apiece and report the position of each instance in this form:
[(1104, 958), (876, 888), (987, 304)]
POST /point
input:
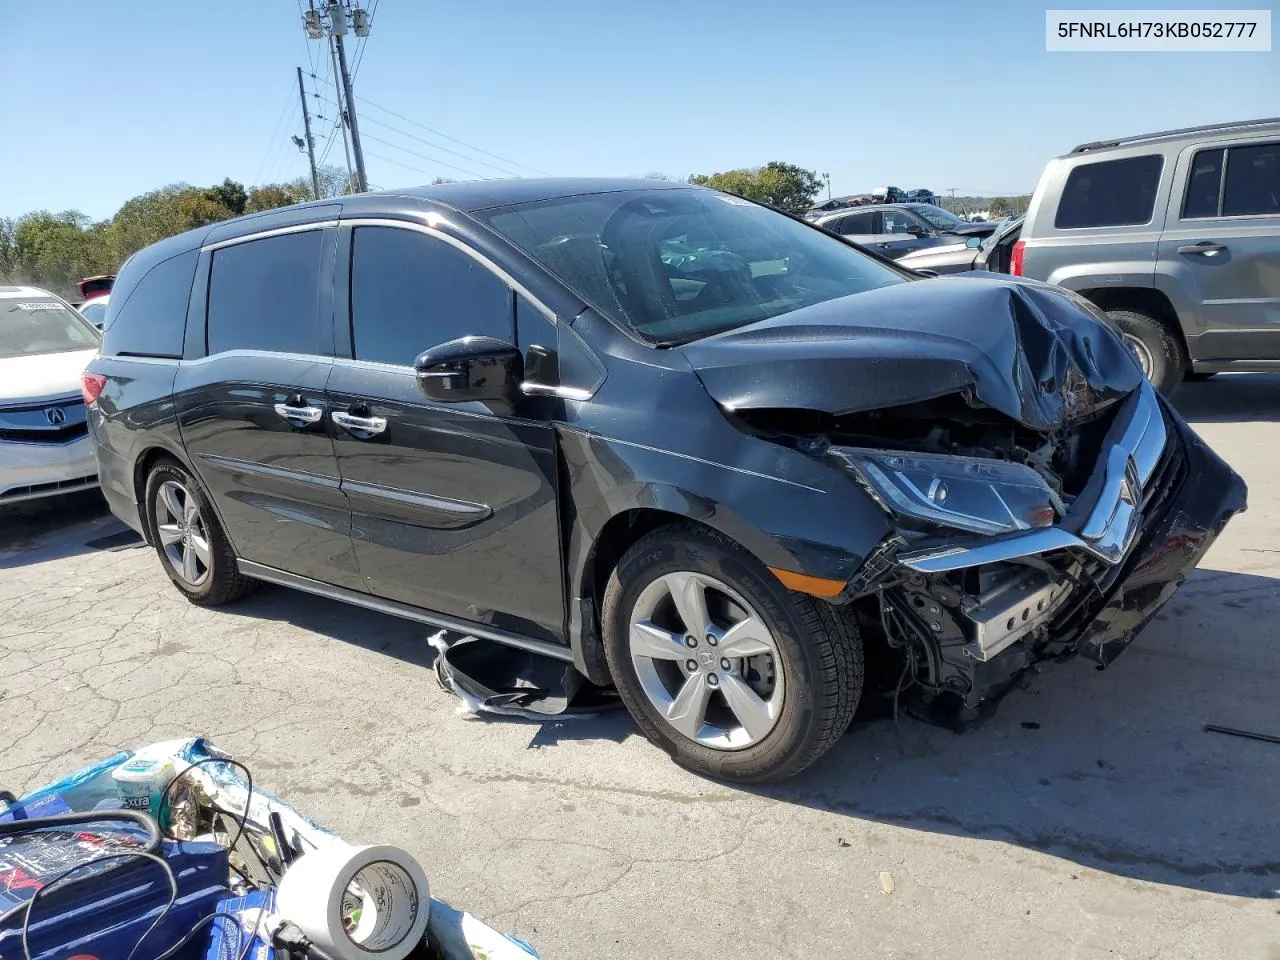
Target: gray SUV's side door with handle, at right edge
[(1224, 245)]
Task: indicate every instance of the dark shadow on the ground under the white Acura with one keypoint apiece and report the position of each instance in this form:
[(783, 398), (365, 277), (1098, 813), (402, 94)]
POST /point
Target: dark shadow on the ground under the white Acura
[(36, 532)]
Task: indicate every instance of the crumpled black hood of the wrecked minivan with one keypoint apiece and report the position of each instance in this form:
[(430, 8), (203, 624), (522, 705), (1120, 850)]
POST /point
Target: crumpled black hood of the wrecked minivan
[(1026, 349)]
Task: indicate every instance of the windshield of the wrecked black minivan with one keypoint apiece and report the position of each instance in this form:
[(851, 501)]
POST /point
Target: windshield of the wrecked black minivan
[(675, 266)]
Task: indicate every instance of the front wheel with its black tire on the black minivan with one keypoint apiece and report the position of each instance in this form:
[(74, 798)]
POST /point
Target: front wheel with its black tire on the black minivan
[(807, 673)]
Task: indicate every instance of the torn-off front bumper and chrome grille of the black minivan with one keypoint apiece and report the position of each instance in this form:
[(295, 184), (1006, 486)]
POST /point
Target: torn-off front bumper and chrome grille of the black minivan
[(981, 610)]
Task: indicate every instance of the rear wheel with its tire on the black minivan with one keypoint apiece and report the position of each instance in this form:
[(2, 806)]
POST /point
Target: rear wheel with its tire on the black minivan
[(213, 579)]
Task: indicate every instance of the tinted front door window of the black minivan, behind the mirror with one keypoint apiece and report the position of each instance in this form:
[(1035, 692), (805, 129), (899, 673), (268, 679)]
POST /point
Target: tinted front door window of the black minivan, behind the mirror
[(410, 291)]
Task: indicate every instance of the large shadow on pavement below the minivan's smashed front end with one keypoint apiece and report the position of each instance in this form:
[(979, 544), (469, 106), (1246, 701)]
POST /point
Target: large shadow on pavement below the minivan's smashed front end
[(1109, 770)]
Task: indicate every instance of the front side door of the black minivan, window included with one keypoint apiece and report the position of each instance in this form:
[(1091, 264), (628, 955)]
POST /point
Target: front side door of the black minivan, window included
[(454, 506)]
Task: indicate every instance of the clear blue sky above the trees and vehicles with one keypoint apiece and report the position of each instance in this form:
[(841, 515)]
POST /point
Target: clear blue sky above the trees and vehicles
[(940, 94)]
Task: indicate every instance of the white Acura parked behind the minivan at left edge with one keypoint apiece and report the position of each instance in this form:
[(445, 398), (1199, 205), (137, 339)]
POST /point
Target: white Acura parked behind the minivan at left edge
[(44, 435)]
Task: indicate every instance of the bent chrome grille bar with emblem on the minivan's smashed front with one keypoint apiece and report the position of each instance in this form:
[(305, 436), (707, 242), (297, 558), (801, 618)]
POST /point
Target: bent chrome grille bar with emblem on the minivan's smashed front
[(1112, 527)]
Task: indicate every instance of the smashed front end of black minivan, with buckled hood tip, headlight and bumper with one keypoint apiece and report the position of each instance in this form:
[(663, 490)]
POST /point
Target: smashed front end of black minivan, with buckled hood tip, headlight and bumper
[(1041, 514)]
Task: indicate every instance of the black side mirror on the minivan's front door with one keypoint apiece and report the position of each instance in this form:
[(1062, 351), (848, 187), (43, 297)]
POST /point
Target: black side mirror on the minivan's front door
[(470, 369)]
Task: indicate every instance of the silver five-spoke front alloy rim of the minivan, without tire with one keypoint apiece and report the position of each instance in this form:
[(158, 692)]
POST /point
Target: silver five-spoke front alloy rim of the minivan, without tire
[(707, 661)]
